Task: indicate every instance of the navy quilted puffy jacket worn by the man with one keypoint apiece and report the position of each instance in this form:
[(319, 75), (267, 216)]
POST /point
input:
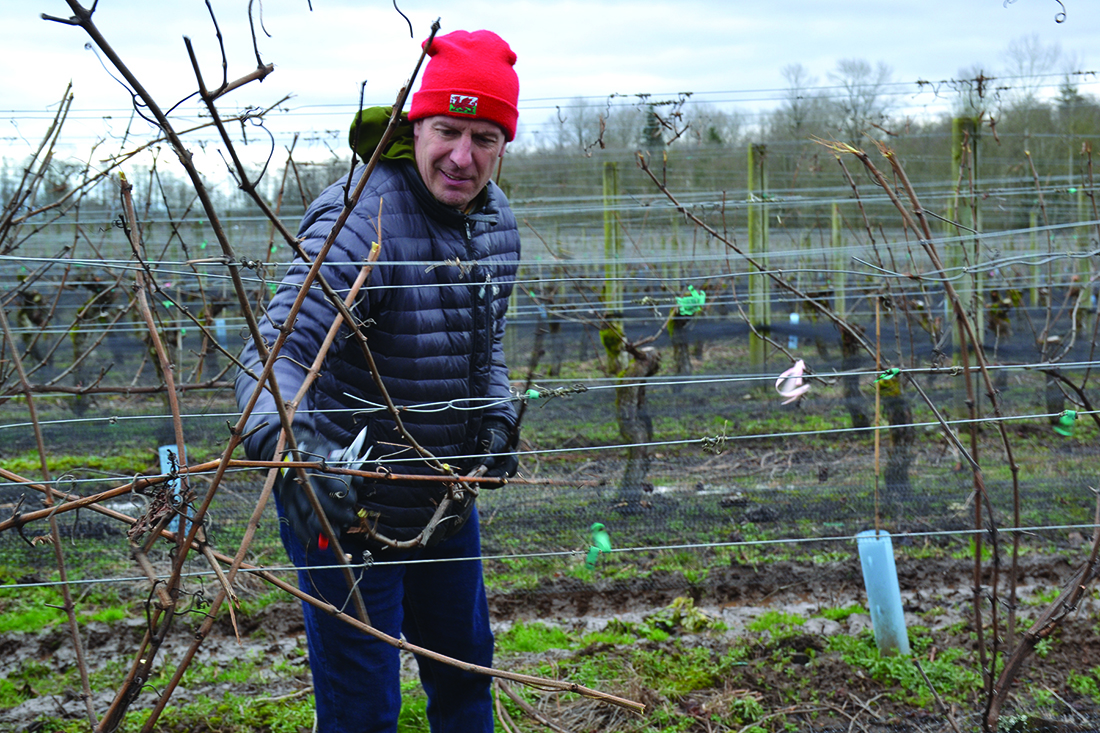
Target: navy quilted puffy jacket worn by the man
[(434, 313)]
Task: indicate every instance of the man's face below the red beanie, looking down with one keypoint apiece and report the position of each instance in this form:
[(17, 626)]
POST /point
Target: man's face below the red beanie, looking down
[(456, 157)]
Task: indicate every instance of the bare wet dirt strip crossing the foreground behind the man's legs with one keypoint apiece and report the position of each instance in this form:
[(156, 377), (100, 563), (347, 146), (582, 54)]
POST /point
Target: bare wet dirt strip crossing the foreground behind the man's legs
[(937, 594)]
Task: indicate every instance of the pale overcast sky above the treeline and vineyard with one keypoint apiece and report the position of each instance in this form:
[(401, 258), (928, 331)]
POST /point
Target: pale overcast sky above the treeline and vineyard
[(728, 52)]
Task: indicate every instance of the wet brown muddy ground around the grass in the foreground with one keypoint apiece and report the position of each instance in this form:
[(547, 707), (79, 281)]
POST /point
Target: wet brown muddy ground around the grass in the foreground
[(937, 594)]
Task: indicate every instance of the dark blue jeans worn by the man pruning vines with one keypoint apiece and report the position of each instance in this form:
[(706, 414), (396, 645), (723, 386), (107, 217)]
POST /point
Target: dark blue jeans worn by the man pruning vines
[(437, 606)]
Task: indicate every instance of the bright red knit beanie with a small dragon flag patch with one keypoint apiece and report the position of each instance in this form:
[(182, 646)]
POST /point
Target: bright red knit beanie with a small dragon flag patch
[(470, 75)]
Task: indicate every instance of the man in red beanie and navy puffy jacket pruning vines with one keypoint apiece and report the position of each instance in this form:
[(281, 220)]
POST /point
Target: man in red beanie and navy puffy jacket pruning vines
[(433, 312)]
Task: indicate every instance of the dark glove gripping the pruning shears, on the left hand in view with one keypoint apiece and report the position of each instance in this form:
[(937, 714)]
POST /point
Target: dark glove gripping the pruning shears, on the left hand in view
[(335, 494)]
